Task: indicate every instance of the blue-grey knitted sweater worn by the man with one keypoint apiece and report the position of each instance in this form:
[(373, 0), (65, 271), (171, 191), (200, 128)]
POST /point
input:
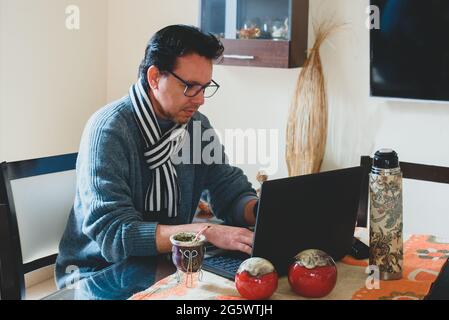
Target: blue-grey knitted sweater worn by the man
[(107, 223)]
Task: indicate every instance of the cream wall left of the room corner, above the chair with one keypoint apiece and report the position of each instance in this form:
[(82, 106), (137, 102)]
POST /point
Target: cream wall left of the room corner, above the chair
[(51, 79)]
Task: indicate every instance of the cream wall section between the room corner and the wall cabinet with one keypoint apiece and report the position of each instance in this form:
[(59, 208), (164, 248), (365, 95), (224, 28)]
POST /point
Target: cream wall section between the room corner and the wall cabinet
[(131, 25)]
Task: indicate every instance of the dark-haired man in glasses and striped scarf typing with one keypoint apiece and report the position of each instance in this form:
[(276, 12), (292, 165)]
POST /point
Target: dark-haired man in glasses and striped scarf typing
[(130, 195)]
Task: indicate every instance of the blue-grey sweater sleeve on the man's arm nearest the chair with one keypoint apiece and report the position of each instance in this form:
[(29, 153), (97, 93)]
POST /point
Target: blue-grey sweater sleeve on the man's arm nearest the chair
[(110, 218)]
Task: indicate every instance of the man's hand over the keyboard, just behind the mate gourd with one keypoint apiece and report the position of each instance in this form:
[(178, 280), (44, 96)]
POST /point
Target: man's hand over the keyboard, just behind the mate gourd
[(230, 238)]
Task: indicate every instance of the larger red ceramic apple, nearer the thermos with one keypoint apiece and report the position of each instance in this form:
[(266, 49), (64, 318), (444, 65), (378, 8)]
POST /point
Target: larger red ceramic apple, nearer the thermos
[(313, 274)]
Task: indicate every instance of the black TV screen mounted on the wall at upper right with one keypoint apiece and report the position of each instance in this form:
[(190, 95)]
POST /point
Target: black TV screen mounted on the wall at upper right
[(410, 50)]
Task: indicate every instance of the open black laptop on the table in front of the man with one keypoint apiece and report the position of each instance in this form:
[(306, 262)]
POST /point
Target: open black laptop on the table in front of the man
[(316, 211)]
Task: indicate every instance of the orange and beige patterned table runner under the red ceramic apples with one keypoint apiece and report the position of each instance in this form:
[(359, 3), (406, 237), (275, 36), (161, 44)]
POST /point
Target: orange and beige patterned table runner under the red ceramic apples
[(424, 257)]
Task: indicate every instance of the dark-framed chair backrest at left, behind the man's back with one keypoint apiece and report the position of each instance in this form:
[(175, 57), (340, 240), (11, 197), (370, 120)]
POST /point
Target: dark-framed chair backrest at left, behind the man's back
[(36, 197)]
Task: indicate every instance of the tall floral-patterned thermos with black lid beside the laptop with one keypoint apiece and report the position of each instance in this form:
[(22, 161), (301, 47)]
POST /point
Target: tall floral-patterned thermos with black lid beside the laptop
[(386, 244)]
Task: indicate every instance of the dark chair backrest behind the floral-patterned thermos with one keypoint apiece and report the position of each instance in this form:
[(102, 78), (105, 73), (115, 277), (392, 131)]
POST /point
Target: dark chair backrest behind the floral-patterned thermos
[(414, 171)]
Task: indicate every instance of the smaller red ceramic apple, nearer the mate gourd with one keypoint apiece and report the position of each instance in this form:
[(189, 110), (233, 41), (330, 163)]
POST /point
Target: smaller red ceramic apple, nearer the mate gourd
[(256, 279)]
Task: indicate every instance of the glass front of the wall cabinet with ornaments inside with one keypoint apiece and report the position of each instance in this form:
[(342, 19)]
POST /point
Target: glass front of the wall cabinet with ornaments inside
[(247, 19)]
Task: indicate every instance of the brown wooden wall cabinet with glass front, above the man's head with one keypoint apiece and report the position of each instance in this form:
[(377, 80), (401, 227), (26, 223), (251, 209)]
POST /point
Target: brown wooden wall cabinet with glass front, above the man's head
[(260, 33)]
